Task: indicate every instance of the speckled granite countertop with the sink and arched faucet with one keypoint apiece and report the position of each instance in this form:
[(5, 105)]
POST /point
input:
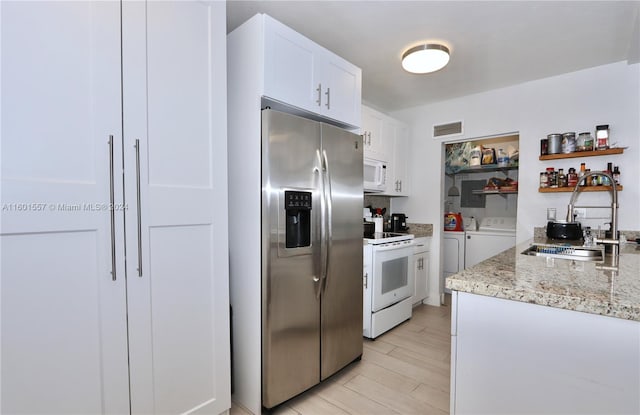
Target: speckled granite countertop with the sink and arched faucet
[(560, 283)]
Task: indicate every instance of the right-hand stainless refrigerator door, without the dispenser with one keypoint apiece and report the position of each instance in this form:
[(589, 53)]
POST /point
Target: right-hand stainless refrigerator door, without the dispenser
[(341, 308)]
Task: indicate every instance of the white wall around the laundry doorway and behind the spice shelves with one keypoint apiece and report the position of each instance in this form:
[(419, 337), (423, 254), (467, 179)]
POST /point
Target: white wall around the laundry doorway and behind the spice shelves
[(577, 101)]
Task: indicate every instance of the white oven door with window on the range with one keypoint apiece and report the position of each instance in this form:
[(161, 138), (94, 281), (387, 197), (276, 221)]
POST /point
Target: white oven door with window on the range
[(392, 275)]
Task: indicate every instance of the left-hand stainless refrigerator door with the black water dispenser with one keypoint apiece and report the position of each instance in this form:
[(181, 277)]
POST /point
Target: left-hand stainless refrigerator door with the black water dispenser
[(290, 287)]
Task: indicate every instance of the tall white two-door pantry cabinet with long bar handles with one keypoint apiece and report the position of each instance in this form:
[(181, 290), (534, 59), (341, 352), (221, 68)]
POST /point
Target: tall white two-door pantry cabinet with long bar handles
[(114, 229)]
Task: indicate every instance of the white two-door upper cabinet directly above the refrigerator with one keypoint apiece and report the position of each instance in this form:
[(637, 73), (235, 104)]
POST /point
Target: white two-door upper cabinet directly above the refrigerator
[(303, 74)]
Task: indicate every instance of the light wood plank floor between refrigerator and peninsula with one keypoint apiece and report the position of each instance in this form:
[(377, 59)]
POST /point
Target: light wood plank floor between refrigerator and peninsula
[(404, 371)]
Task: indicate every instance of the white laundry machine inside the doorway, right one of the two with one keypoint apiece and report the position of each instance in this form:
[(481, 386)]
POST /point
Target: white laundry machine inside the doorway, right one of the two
[(494, 235)]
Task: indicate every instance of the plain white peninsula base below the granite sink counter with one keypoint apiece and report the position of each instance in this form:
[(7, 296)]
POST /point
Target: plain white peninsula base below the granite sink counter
[(513, 357)]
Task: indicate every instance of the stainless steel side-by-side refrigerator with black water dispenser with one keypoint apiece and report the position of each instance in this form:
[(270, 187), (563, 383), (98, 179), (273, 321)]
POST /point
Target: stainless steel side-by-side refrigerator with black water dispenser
[(311, 253)]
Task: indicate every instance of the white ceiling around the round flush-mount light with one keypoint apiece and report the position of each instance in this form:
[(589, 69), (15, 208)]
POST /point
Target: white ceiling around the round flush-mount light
[(493, 43)]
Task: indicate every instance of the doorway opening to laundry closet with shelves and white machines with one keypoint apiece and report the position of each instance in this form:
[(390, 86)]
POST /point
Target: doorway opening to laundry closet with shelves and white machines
[(480, 194)]
